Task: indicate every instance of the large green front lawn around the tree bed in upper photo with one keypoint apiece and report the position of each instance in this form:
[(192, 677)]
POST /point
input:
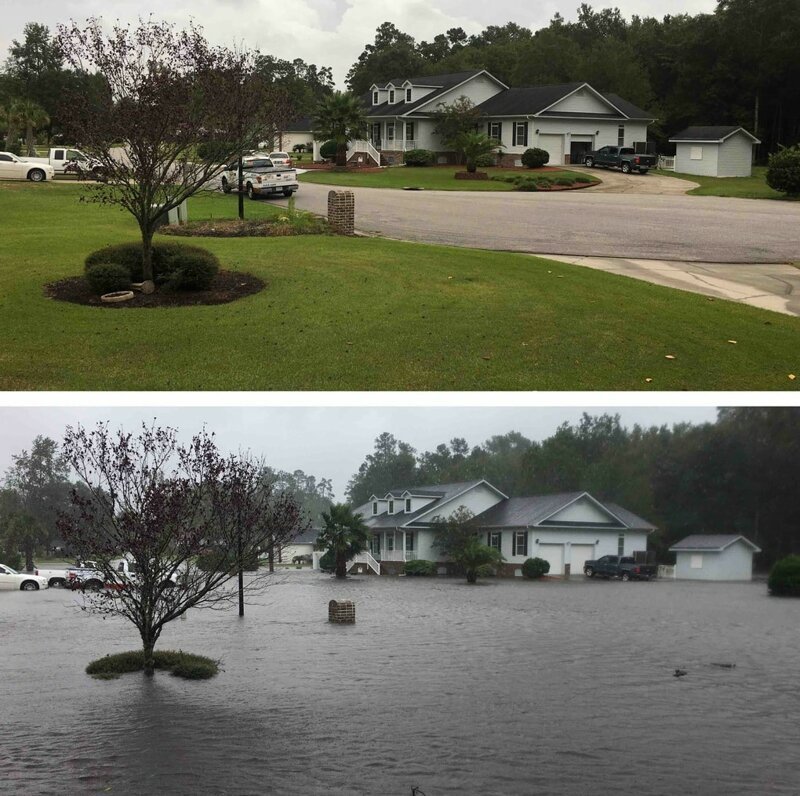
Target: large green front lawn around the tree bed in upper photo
[(364, 314)]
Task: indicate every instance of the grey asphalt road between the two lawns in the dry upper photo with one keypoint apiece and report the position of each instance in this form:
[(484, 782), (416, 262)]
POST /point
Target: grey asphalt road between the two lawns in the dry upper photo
[(645, 226)]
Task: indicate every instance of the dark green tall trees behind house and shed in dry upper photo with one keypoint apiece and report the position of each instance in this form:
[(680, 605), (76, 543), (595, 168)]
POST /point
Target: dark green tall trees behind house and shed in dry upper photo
[(738, 65)]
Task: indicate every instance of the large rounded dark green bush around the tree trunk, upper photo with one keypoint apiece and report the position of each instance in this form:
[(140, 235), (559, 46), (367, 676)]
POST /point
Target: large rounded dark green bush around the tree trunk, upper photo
[(175, 265)]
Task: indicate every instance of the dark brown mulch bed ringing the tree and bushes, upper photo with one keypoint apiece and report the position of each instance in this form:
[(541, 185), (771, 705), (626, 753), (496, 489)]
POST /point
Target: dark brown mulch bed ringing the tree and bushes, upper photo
[(227, 286)]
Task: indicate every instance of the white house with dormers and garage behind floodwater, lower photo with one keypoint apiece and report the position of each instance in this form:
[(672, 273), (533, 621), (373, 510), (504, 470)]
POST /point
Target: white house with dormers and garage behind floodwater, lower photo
[(565, 529)]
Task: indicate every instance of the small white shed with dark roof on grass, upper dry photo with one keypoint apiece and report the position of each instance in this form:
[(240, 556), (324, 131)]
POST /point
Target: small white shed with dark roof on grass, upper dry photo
[(714, 151)]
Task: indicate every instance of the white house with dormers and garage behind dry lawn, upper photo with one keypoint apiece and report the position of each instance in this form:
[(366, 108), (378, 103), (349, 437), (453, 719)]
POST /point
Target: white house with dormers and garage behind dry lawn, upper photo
[(566, 120)]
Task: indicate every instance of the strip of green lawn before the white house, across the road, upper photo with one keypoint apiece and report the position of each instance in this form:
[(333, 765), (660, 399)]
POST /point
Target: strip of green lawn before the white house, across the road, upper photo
[(432, 178)]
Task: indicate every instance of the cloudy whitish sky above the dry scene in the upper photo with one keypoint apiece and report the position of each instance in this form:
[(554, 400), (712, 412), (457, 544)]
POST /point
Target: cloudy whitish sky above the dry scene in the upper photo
[(323, 32)]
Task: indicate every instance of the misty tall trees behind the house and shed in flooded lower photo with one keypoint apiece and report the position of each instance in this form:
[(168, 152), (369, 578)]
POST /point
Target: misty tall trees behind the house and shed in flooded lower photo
[(737, 475)]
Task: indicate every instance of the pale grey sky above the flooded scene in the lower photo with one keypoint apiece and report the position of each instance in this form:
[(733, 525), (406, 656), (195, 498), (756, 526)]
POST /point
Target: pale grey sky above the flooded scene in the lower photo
[(329, 442)]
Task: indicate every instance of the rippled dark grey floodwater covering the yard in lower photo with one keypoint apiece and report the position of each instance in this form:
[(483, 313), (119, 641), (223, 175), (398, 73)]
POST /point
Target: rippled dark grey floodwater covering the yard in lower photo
[(507, 687)]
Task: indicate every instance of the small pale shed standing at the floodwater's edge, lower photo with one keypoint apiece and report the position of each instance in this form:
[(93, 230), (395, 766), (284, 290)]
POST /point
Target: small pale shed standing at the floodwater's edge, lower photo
[(714, 557)]
